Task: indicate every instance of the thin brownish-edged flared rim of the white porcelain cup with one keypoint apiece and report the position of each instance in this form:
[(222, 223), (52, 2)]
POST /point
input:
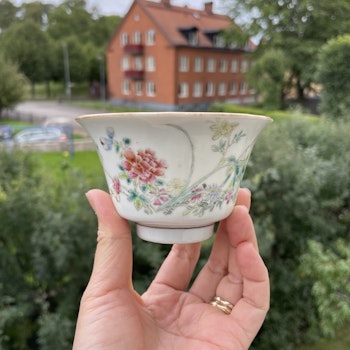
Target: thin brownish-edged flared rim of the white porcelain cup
[(180, 114)]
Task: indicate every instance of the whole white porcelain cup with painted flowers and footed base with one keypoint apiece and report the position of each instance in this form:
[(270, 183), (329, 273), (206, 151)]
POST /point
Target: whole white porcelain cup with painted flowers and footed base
[(174, 173)]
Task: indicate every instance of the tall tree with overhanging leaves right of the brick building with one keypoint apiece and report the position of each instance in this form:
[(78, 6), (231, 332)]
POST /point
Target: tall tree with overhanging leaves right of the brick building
[(297, 27)]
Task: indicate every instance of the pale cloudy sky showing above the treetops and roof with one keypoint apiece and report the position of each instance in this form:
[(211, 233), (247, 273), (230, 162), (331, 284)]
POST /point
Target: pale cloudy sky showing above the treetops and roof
[(120, 7)]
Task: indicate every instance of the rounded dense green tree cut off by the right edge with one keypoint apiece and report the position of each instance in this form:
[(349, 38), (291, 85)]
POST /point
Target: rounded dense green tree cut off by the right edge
[(334, 75)]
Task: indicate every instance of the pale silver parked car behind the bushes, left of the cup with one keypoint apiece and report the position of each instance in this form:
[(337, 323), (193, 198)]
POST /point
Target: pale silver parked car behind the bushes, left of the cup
[(40, 135)]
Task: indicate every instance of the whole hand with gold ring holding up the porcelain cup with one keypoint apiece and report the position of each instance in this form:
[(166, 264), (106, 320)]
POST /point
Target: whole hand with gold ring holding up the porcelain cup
[(113, 316)]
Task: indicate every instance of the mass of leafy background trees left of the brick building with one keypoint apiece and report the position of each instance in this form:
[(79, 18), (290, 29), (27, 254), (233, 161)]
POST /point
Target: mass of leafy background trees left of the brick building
[(32, 35)]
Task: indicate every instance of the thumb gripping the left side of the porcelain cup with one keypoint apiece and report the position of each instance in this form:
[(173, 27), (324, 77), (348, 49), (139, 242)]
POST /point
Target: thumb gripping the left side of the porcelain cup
[(113, 258)]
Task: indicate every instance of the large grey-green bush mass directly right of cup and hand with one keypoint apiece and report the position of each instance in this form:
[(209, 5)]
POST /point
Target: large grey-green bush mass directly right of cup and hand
[(299, 176)]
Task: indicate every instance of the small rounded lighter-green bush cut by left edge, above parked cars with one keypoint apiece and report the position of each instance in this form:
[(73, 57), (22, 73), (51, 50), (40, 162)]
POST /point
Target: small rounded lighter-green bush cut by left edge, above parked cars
[(12, 84)]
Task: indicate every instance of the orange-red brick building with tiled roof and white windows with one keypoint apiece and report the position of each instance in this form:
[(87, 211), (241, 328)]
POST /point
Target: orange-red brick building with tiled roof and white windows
[(167, 57)]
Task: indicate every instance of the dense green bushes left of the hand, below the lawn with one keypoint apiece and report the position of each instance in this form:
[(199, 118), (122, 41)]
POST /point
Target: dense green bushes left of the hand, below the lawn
[(47, 240)]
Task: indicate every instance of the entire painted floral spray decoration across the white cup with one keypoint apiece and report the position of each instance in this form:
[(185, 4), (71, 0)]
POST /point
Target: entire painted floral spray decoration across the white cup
[(142, 175)]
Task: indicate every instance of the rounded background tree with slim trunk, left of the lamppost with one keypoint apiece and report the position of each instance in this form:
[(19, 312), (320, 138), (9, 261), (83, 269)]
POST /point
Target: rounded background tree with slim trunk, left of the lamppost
[(25, 44)]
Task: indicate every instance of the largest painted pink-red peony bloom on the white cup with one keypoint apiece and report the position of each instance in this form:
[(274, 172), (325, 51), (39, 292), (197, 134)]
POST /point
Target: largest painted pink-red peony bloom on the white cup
[(144, 165)]
